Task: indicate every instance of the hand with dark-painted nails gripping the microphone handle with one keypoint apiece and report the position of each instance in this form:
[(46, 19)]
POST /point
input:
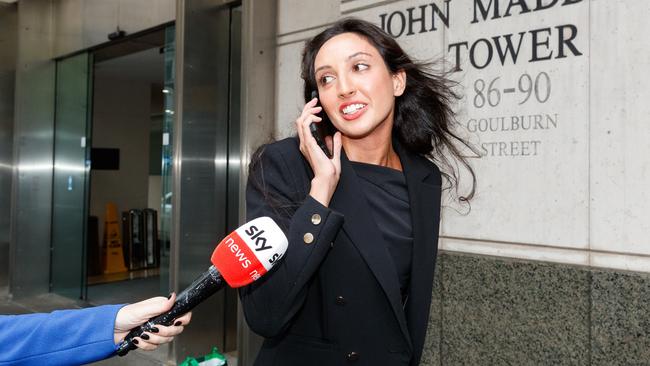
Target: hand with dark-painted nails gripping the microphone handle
[(134, 315)]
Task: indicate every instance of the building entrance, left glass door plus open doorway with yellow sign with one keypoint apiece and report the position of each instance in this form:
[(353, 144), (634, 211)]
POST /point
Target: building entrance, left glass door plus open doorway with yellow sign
[(110, 221)]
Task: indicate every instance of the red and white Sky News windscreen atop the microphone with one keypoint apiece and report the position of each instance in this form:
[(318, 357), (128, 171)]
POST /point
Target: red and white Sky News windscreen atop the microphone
[(250, 251)]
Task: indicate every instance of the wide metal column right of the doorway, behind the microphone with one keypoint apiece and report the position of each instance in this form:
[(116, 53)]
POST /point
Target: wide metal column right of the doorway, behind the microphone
[(203, 158)]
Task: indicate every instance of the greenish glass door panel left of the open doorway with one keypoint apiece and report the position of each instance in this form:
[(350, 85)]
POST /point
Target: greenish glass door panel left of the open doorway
[(70, 181)]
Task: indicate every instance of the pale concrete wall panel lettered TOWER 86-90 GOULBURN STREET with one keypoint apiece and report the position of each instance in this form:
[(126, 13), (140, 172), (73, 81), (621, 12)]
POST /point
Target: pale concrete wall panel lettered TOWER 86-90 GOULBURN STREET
[(530, 119)]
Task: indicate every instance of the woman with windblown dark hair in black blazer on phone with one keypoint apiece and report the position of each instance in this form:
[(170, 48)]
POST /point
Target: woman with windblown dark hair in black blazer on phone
[(356, 280)]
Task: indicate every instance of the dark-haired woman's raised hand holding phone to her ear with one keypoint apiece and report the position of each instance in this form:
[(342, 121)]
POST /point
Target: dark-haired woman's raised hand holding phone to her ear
[(326, 171)]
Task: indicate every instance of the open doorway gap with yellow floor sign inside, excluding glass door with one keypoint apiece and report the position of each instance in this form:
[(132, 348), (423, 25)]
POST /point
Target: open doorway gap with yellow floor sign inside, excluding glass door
[(132, 104)]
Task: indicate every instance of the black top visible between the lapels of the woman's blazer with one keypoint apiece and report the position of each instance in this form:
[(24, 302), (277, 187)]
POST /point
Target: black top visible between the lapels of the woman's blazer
[(387, 194)]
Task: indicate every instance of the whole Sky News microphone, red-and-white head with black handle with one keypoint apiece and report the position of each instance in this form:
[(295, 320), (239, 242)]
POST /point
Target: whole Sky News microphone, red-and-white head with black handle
[(239, 259)]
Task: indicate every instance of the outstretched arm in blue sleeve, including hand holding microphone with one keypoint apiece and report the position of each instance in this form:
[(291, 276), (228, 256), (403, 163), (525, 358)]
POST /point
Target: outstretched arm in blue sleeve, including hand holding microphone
[(79, 336)]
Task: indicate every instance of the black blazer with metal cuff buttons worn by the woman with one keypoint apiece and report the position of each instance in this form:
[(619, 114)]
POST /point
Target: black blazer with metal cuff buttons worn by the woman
[(335, 297)]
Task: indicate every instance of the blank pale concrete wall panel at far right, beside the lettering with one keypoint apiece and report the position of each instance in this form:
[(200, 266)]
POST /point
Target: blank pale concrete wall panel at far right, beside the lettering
[(619, 164)]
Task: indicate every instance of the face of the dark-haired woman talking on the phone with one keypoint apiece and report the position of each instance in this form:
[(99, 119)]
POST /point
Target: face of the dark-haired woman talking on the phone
[(355, 87)]
